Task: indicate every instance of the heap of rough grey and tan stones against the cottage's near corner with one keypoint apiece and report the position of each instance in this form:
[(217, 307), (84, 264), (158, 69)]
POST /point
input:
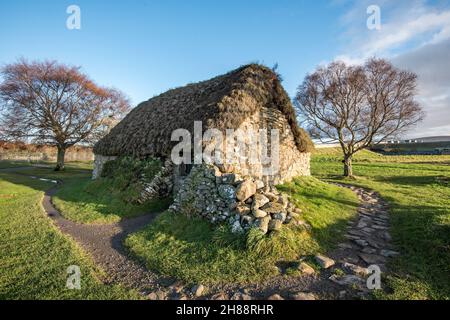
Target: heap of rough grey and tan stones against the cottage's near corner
[(219, 195)]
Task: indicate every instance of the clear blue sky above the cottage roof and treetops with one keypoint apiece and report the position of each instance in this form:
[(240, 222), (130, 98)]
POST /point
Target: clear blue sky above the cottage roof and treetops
[(147, 47)]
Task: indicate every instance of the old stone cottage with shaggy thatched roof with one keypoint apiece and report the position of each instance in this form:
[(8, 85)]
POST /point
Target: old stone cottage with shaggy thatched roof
[(248, 98)]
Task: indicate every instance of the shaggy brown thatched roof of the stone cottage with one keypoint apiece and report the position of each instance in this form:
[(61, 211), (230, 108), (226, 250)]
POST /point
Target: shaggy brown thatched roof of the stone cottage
[(222, 102)]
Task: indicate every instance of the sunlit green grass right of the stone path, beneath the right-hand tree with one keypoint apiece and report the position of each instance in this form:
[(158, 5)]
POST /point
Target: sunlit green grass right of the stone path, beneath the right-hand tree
[(418, 191)]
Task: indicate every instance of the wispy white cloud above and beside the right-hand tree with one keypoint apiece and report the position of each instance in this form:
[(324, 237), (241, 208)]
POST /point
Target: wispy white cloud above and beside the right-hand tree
[(415, 35)]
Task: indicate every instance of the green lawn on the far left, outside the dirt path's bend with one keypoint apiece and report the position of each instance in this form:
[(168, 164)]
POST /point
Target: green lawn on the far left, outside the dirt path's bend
[(35, 255)]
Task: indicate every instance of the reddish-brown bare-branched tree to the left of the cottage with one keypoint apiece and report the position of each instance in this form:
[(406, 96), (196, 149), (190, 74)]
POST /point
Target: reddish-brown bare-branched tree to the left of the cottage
[(56, 104)]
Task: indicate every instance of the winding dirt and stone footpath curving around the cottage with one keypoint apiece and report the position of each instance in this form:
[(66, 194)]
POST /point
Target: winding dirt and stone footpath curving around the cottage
[(343, 274)]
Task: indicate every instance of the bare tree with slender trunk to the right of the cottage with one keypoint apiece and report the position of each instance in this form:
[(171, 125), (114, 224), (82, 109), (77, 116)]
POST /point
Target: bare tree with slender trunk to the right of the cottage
[(358, 106)]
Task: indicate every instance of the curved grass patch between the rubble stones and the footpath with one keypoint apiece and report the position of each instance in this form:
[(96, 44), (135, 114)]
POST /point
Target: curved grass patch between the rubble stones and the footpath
[(196, 252)]
